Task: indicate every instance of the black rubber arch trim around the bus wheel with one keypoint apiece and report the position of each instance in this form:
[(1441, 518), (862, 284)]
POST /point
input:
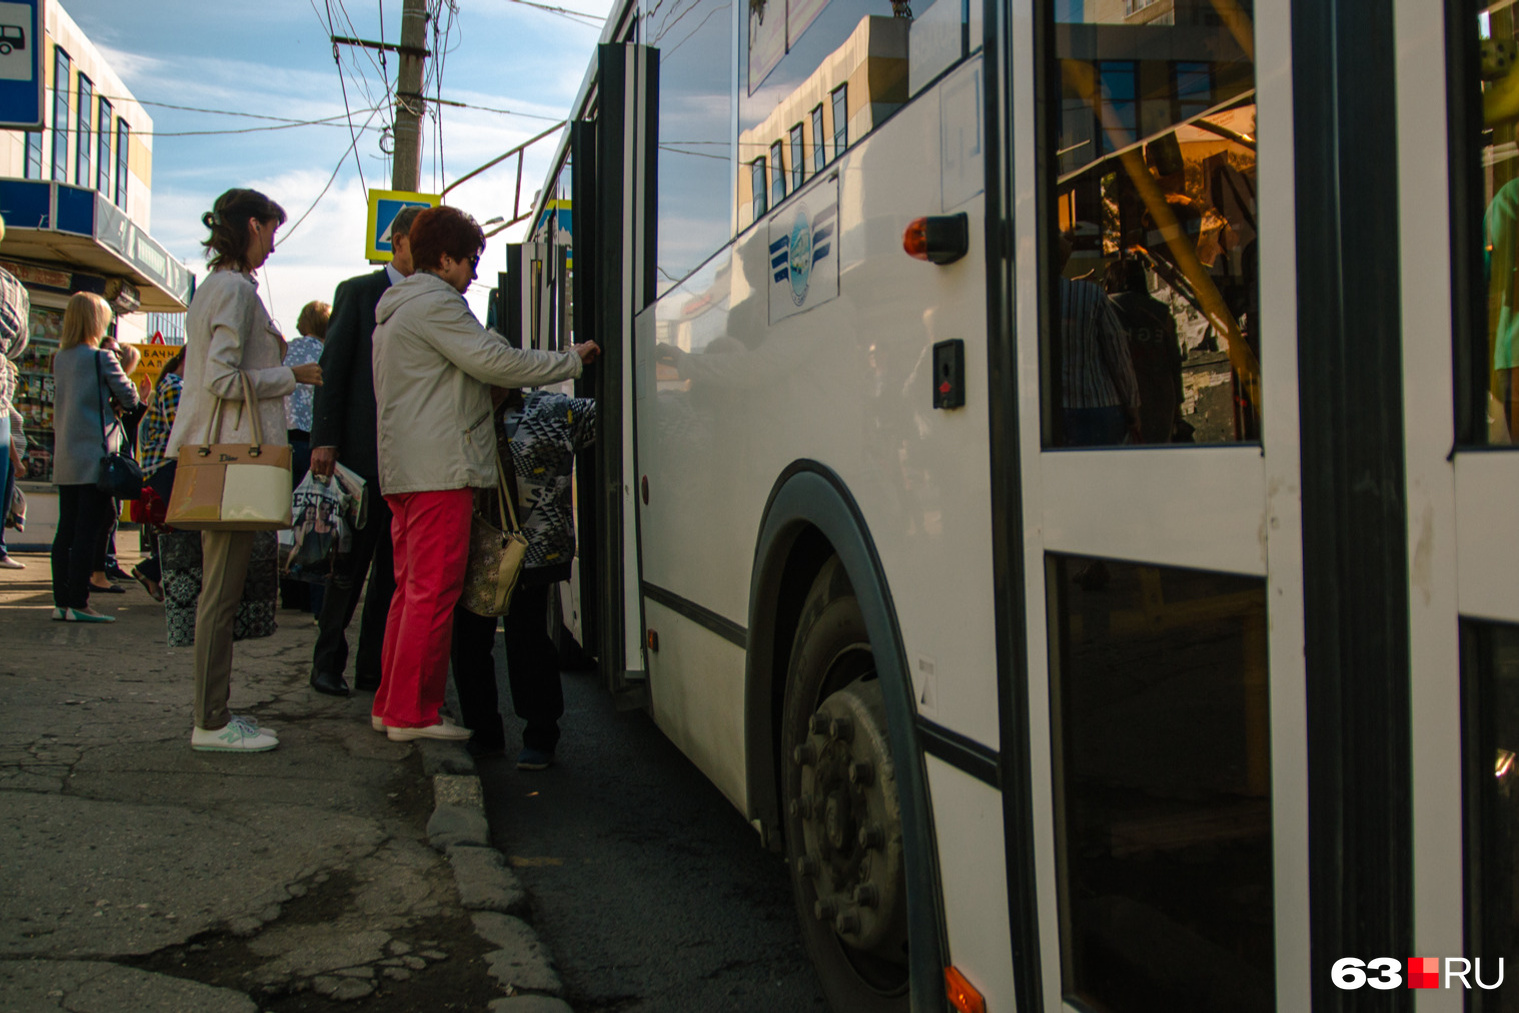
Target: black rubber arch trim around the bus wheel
[(810, 499)]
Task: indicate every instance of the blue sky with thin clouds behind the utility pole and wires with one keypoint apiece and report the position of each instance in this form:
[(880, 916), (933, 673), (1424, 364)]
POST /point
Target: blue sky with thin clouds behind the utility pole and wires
[(274, 58)]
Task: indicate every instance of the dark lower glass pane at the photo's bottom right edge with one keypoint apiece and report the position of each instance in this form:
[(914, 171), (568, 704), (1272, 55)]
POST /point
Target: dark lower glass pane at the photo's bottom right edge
[(1491, 657)]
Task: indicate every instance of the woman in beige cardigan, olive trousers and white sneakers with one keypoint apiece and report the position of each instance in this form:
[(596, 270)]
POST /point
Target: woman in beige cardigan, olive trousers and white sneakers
[(229, 333)]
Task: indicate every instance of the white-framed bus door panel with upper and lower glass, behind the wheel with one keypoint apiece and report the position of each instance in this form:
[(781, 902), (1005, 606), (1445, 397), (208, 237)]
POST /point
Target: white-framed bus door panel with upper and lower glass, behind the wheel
[(1148, 469)]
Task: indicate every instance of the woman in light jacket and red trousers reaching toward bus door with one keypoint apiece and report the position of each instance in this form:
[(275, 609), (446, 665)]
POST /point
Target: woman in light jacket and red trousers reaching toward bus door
[(434, 368)]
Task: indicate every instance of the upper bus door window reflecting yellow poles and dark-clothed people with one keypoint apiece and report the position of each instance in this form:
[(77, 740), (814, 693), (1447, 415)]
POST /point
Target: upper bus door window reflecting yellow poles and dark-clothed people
[(1155, 183)]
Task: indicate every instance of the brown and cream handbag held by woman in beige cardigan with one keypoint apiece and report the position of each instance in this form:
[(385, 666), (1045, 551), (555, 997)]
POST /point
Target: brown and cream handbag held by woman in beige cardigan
[(232, 487)]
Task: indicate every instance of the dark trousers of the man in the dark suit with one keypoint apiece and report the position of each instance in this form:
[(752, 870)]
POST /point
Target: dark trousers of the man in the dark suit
[(374, 555)]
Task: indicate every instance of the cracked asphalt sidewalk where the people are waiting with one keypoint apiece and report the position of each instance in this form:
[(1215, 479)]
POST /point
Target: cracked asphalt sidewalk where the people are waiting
[(335, 873)]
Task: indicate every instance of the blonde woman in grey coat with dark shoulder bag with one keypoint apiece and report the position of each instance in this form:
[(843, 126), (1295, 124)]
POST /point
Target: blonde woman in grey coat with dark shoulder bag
[(86, 382)]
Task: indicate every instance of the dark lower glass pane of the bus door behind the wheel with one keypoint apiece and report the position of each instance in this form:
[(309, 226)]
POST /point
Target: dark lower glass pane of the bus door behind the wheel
[(1163, 787)]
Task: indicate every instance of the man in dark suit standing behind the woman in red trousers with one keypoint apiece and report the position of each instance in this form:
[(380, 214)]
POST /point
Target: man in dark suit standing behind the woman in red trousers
[(344, 429)]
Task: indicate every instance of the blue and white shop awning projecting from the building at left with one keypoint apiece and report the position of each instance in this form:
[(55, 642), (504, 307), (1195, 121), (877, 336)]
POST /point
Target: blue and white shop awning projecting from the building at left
[(74, 227)]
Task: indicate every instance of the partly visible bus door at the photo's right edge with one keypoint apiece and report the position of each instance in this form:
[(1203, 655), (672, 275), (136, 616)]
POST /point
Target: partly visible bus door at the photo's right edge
[(1457, 119)]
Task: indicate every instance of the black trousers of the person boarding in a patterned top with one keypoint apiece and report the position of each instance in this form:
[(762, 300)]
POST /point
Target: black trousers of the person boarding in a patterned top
[(532, 671)]
